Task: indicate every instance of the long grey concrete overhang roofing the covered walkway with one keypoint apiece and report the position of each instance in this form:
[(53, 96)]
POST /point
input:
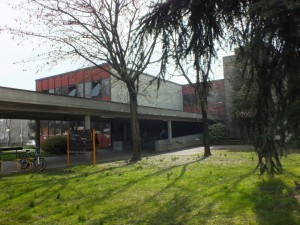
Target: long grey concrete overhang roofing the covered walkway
[(23, 104)]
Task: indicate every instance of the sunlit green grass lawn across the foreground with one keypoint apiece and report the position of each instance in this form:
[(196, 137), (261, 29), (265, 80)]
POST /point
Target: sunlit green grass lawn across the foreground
[(221, 189)]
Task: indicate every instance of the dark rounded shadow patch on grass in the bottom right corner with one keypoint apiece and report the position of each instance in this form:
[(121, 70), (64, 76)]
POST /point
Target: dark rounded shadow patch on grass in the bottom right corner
[(274, 203)]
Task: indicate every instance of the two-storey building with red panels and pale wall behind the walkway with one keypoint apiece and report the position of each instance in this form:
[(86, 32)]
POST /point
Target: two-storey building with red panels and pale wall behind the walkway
[(98, 84)]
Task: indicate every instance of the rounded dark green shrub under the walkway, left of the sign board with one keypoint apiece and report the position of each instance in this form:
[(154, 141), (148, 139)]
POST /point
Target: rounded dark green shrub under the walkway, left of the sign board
[(55, 145)]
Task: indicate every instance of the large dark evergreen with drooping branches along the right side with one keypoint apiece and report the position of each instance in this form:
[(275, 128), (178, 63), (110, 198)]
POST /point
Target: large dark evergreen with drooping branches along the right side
[(268, 34)]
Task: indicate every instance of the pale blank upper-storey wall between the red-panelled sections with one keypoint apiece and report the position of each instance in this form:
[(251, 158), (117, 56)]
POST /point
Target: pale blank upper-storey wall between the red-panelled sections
[(168, 96)]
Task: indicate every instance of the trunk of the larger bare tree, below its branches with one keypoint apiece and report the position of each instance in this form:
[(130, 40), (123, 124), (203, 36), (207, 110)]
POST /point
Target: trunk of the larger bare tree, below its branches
[(135, 129)]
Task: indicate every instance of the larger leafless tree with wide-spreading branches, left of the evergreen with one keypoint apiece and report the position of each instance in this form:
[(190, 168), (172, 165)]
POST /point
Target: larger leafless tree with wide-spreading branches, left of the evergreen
[(103, 31)]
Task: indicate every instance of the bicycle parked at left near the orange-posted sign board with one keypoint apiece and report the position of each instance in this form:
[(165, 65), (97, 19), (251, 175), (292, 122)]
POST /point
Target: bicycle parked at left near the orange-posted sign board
[(29, 161)]
